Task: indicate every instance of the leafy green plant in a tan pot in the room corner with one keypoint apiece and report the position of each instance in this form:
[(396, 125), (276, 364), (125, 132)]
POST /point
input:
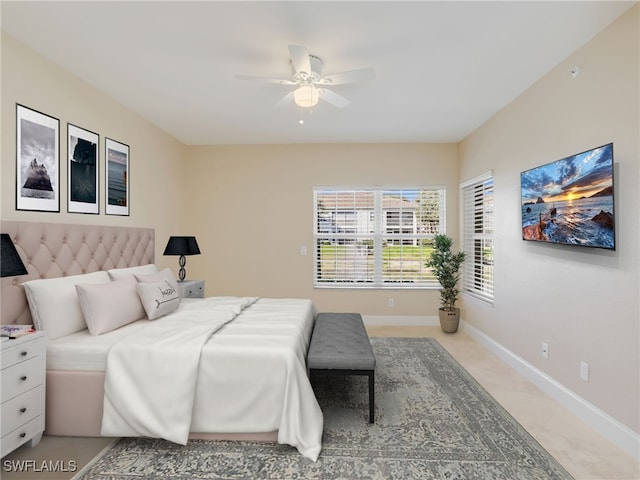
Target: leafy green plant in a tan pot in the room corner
[(446, 268)]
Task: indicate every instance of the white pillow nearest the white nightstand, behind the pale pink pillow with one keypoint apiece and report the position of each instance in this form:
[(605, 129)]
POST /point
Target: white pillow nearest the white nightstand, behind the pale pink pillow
[(54, 303)]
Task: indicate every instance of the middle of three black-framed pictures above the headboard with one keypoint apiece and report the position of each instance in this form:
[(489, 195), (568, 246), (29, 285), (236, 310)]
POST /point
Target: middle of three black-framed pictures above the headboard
[(83, 167)]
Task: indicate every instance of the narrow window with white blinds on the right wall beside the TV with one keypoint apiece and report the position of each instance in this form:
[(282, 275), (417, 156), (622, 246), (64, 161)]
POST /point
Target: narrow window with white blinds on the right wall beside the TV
[(477, 204)]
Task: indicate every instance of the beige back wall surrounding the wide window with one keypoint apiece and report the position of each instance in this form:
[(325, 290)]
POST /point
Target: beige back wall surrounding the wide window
[(252, 209)]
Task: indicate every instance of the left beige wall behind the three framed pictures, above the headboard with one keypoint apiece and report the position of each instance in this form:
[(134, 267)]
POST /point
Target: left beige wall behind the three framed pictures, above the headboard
[(156, 171)]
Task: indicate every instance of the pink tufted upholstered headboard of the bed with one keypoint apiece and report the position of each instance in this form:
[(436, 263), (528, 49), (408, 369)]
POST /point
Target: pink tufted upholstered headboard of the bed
[(51, 250)]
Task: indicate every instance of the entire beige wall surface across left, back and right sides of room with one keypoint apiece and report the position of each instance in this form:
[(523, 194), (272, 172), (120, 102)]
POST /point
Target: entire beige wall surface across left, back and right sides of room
[(251, 207)]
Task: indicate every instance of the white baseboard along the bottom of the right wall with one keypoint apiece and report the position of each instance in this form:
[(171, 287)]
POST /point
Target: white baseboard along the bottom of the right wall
[(606, 425)]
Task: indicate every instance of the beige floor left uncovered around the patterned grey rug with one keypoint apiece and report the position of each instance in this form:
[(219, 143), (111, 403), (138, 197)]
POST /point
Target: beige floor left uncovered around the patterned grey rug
[(586, 454)]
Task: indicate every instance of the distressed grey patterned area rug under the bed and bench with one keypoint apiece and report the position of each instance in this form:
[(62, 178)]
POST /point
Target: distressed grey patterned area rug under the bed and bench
[(433, 421)]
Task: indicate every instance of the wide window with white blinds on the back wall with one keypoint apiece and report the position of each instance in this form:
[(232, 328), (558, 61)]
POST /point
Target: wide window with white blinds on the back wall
[(376, 237)]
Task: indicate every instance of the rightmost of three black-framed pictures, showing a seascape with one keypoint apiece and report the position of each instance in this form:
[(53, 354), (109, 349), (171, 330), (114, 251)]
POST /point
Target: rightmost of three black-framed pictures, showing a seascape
[(117, 177)]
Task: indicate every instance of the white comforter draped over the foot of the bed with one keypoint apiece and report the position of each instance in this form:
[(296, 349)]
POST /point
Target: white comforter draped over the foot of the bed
[(208, 368)]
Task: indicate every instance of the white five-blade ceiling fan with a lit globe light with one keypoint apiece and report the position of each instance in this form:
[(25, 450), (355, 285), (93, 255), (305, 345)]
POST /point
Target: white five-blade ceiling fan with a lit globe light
[(311, 84)]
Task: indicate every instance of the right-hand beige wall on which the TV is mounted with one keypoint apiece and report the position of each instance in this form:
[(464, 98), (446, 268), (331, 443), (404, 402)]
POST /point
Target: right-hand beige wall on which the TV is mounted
[(583, 302)]
